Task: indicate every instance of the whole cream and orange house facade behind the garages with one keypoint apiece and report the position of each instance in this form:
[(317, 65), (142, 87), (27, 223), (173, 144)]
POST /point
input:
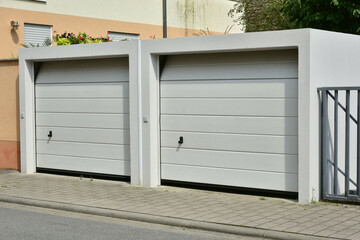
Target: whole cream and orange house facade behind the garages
[(34, 21)]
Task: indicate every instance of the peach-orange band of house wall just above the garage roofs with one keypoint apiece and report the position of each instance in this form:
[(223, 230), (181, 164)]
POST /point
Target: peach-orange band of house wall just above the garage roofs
[(12, 39)]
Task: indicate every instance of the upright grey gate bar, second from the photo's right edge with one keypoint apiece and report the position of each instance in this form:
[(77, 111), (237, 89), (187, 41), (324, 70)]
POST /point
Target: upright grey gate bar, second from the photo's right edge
[(347, 144)]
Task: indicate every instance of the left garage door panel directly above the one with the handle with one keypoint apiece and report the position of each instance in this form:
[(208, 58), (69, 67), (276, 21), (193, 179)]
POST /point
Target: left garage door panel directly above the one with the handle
[(114, 121)]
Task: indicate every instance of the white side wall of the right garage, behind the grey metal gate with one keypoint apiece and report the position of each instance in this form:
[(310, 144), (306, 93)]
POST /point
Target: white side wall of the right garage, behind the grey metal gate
[(335, 61)]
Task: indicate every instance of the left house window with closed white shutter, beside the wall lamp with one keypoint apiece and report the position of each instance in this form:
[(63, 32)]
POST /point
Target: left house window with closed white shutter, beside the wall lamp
[(37, 35)]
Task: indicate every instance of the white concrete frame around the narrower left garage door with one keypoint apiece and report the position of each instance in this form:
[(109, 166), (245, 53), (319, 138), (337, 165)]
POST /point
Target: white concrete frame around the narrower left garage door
[(28, 58)]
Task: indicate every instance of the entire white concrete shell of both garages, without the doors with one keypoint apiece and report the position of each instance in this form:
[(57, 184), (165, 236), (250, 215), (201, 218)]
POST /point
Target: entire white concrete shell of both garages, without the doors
[(325, 59)]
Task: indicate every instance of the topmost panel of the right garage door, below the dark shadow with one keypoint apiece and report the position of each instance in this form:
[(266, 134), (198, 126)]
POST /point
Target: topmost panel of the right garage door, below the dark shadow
[(231, 71)]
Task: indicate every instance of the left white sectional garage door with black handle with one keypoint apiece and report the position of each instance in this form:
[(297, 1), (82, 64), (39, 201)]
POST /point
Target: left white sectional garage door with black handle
[(84, 105)]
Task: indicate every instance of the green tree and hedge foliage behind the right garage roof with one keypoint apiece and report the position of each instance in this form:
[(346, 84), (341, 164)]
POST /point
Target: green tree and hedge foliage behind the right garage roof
[(265, 15)]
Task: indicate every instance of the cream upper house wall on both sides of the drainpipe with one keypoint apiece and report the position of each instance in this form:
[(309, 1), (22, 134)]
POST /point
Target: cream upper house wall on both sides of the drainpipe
[(189, 14)]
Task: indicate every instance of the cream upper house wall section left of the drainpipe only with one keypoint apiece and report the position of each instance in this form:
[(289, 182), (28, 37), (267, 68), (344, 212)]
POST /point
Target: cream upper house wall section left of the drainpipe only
[(139, 11)]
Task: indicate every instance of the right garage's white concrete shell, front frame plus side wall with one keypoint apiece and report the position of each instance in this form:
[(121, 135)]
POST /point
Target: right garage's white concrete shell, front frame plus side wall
[(325, 59)]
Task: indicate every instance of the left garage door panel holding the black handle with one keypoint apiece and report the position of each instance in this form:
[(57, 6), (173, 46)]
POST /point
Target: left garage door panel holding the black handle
[(111, 136)]
